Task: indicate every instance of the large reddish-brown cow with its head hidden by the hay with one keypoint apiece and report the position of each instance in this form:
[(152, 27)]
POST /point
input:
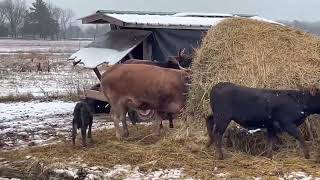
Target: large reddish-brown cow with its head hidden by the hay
[(141, 86)]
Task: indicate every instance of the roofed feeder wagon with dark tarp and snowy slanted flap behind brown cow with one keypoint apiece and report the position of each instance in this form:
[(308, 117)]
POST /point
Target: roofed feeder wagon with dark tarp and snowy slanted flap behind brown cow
[(144, 35)]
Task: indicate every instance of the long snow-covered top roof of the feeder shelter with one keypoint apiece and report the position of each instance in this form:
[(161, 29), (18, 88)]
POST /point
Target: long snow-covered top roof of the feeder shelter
[(182, 20)]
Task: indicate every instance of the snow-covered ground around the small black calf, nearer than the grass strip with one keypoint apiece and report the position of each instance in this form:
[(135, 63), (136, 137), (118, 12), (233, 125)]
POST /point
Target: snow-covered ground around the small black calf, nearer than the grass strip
[(38, 123)]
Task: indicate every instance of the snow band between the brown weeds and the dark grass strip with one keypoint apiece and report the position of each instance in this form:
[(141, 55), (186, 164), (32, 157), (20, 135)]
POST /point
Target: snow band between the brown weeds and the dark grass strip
[(43, 84)]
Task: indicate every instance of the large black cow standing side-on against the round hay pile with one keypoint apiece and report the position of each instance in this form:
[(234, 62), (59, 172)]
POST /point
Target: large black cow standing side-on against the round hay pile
[(274, 110)]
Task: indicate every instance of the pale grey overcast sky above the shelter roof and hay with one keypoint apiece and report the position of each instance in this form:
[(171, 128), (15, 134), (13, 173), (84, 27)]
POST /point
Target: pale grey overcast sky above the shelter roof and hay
[(308, 10)]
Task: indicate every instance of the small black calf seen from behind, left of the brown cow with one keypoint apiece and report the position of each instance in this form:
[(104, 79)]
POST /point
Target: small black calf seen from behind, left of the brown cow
[(82, 119)]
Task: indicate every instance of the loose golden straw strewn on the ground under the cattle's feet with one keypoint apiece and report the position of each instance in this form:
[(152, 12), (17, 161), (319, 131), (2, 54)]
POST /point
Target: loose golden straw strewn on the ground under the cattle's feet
[(149, 152)]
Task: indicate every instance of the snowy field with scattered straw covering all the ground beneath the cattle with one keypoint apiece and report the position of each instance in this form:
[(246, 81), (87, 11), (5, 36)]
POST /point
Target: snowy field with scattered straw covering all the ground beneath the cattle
[(36, 104)]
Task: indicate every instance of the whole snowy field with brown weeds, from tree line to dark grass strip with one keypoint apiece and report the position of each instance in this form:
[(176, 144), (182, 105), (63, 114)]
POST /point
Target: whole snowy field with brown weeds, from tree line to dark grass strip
[(62, 79)]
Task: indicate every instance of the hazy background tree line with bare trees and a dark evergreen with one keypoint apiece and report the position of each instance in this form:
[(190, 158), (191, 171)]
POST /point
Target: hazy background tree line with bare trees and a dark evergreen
[(41, 20)]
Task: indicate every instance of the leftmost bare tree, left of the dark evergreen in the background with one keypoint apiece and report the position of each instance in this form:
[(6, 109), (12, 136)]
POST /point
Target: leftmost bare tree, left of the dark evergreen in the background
[(15, 11)]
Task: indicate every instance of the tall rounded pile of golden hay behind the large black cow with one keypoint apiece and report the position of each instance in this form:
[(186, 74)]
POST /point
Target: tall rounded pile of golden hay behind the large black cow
[(255, 54)]
